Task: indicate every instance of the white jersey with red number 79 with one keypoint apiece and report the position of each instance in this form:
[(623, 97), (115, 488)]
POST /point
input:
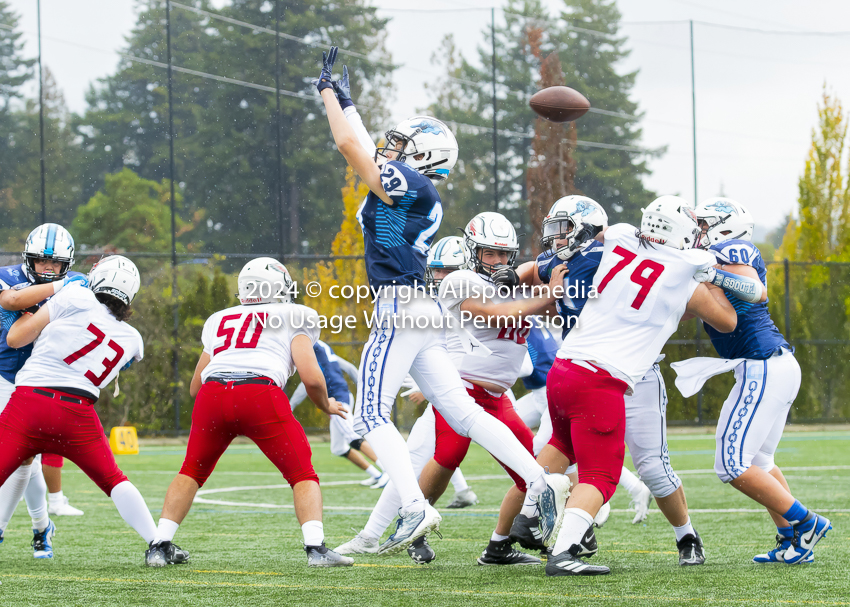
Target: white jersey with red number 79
[(642, 295)]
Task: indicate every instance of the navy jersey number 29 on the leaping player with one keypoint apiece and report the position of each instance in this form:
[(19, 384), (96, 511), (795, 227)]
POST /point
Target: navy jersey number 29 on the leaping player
[(398, 236)]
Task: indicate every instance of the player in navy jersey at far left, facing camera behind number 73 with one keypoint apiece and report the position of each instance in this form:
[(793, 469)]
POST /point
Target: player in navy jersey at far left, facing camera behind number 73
[(48, 256)]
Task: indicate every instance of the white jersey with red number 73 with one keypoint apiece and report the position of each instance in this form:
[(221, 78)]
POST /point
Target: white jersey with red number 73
[(82, 347)]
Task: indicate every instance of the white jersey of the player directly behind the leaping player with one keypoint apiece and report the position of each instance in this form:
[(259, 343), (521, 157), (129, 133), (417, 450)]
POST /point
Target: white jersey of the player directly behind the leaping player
[(507, 345)]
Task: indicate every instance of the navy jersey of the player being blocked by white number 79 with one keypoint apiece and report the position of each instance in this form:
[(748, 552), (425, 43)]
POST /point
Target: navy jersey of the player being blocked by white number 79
[(582, 268)]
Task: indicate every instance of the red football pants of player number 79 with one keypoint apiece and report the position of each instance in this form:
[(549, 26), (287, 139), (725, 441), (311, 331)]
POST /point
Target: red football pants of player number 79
[(588, 422)]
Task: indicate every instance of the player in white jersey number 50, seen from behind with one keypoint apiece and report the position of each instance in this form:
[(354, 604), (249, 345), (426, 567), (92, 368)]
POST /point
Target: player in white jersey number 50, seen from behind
[(250, 352)]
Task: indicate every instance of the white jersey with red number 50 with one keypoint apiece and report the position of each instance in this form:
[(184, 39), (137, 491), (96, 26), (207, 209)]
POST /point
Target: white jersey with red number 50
[(255, 340)]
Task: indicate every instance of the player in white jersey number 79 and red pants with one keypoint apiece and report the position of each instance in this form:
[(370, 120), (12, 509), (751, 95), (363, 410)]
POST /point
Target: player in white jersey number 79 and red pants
[(645, 284)]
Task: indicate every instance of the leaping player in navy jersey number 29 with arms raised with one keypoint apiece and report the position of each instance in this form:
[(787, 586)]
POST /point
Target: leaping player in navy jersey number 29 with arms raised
[(399, 217)]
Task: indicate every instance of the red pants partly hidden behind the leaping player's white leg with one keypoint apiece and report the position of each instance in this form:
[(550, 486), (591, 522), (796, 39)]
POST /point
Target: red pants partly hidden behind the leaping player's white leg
[(451, 447)]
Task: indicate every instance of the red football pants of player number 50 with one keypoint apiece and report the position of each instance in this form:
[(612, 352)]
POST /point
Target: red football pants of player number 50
[(262, 413)]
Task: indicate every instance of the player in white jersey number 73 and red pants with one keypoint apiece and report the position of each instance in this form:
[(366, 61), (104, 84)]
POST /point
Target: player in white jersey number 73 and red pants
[(81, 343)]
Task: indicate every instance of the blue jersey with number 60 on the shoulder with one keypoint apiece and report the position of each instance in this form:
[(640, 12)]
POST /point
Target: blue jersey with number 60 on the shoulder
[(755, 337)]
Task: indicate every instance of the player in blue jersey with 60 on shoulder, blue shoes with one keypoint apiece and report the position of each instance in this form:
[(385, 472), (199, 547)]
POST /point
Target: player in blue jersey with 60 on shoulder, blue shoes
[(767, 381)]
